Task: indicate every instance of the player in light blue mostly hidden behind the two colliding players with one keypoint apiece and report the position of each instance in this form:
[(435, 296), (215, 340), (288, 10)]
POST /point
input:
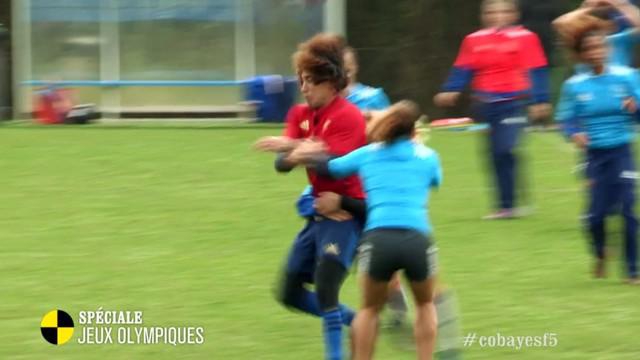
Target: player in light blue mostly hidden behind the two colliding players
[(368, 99)]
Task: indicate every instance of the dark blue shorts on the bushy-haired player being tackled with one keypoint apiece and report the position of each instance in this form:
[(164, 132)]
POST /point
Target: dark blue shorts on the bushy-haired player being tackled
[(323, 238)]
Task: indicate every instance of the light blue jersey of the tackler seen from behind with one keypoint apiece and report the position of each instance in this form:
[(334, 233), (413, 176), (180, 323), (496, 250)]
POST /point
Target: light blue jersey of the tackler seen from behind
[(397, 178)]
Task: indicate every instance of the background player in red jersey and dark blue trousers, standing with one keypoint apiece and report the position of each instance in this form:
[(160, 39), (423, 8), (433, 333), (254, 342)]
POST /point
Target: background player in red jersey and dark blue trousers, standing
[(508, 71)]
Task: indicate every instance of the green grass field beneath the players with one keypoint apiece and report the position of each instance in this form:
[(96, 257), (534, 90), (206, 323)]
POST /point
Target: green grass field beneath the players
[(190, 226)]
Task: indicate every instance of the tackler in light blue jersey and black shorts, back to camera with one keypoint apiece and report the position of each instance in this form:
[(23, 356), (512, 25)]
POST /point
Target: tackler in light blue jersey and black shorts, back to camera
[(397, 174)]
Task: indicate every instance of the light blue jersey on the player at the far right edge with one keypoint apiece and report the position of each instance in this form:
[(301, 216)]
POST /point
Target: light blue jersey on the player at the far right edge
[(594, 104)]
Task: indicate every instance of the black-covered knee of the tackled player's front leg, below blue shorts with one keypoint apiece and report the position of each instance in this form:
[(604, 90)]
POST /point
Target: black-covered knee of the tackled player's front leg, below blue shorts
[(329, 277)]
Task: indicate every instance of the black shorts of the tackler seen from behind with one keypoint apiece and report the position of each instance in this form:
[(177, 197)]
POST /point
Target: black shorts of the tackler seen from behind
[(385, 251)]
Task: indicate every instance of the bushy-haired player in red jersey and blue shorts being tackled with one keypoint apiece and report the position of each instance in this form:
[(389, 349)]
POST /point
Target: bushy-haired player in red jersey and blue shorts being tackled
[(325, 248)]
